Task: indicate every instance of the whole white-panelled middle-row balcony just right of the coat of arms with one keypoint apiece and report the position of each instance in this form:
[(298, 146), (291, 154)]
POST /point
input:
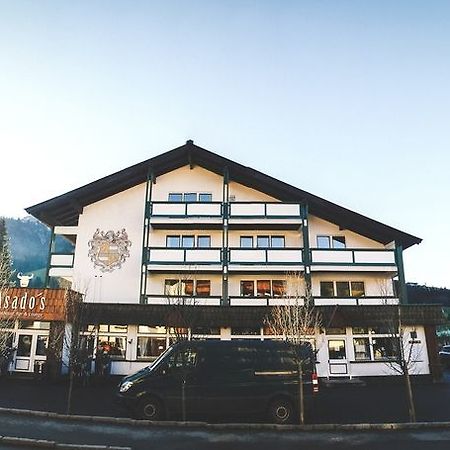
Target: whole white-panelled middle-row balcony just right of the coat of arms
[(184, 259)]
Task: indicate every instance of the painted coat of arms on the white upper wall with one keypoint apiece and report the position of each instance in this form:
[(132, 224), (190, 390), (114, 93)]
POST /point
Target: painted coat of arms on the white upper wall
[(109, 250)]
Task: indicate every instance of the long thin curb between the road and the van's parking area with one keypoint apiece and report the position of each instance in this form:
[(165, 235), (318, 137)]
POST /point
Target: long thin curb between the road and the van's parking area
[(219, 427)]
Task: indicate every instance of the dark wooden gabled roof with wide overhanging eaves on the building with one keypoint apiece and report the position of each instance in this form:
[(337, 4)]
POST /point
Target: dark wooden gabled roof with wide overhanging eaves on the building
[(65, 209)]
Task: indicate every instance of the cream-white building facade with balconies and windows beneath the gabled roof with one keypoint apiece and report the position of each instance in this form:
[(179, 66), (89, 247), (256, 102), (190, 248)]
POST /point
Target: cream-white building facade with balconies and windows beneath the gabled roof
[(263, 239)]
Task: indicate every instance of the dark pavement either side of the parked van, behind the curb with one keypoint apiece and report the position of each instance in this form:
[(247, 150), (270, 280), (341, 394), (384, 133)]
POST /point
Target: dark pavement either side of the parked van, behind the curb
[(376, 403)]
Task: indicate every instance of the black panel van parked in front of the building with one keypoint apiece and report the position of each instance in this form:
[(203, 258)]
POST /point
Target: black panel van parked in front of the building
[(202, 379)]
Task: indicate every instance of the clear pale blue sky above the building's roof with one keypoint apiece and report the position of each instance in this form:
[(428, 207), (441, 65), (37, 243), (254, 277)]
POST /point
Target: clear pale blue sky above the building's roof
[(348, 100)]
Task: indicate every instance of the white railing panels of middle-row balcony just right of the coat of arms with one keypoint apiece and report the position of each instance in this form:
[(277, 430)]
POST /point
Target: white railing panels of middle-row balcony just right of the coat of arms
[(188, 256)]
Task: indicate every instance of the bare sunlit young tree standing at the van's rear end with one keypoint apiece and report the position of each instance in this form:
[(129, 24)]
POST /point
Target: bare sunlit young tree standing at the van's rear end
[(297, 321)]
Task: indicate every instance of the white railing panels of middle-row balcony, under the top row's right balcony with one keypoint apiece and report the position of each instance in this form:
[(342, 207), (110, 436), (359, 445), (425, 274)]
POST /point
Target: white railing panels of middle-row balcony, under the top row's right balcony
[(266, 256)]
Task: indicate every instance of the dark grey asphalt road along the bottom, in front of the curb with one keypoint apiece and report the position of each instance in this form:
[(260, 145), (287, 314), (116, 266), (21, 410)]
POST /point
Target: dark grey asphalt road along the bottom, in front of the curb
[(181, 438)]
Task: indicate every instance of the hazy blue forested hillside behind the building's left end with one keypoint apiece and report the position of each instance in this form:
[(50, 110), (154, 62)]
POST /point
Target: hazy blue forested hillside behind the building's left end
[(29, 242)]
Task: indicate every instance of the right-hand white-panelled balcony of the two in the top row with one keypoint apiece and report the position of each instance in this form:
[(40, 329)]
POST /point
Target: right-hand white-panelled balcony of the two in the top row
[(265, 215)]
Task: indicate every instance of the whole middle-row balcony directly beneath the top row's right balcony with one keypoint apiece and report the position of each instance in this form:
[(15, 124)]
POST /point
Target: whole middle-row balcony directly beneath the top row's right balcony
[(270, 259)]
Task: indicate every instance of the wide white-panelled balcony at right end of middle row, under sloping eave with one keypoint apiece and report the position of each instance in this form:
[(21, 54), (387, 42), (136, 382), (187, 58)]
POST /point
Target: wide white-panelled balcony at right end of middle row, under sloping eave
[(356, 259)]
